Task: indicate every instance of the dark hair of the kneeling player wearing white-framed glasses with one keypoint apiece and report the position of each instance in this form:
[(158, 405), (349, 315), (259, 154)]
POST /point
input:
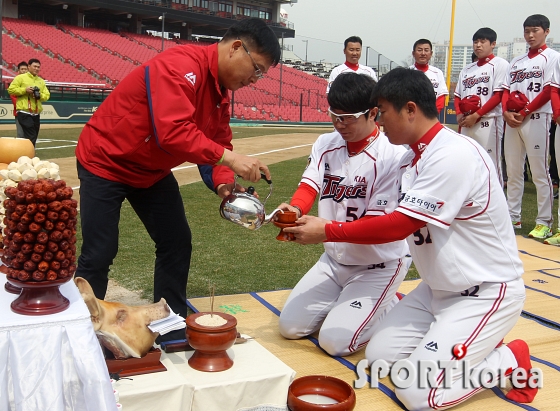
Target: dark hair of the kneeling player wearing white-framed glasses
[(352, 92)]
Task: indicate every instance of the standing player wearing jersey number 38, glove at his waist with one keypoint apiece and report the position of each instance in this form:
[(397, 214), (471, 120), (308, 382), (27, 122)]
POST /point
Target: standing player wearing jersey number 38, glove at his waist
[(478, 97)]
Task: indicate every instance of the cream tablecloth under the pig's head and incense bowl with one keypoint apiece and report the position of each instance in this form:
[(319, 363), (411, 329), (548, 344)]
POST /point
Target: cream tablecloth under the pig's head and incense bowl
[(258, 381)]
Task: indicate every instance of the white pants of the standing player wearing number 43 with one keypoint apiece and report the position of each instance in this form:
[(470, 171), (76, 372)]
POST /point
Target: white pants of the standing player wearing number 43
[(531, 140)]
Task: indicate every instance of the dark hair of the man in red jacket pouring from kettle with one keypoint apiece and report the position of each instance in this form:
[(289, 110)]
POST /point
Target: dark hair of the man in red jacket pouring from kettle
[(258, 36)]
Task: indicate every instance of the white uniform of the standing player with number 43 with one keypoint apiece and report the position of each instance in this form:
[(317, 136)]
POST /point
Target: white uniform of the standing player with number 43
[(530, 76)]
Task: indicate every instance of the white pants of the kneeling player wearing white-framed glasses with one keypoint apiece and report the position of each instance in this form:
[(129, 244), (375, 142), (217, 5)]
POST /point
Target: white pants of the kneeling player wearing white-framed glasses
[(343, 301)]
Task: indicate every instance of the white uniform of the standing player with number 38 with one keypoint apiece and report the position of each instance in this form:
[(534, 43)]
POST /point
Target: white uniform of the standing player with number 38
[(482, 79)]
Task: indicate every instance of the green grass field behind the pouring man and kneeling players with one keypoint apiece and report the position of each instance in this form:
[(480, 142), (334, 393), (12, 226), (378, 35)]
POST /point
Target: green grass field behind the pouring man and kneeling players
[(235, 259)]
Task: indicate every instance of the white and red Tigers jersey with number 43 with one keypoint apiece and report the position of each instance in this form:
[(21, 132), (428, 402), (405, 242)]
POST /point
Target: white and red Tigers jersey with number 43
[(531, 75)]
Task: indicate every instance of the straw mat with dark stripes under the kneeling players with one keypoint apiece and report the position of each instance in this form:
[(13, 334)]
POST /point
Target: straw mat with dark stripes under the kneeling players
[(257, 316)]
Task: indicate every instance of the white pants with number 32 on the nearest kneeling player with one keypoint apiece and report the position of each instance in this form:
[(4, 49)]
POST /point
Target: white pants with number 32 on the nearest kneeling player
[(426, 324)]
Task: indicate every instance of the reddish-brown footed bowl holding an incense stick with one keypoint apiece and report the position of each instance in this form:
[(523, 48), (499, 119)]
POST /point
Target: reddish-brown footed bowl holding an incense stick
[(211, 343)]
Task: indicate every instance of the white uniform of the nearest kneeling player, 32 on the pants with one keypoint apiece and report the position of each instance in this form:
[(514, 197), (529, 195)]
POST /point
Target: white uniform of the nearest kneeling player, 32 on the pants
[(471, 290)]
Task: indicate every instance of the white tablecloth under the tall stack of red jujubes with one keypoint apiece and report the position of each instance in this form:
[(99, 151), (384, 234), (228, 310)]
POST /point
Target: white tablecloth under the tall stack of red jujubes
[(52, 362)]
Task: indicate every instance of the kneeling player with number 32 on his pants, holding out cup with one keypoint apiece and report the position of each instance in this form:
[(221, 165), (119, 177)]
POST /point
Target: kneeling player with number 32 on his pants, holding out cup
[(453, 215)]
